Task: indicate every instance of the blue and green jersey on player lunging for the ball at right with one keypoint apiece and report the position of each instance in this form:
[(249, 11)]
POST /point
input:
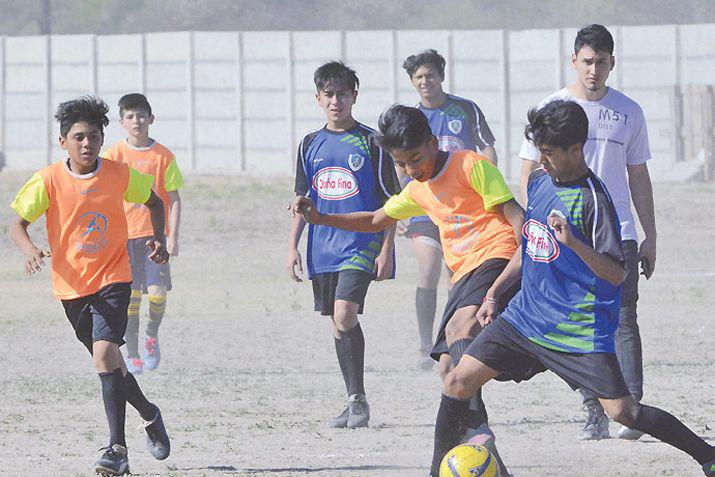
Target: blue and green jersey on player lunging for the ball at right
[(562, 304)]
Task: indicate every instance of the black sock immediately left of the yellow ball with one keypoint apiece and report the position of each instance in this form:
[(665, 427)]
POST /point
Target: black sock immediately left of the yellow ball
[(449, 428)]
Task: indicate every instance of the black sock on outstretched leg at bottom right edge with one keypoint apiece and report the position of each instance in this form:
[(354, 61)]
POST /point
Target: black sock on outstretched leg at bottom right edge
[(669, 429)]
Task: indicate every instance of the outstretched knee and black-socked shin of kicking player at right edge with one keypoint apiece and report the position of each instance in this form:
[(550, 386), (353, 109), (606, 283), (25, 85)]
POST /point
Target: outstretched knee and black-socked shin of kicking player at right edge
[(661, 425)]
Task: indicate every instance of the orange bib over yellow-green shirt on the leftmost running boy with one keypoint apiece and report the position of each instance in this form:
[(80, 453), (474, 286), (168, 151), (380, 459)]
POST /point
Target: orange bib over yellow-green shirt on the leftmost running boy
[(86, 227)]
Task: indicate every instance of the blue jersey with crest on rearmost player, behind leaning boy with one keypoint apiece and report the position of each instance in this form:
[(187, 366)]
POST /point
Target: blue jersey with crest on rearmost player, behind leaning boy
[(458, 124)]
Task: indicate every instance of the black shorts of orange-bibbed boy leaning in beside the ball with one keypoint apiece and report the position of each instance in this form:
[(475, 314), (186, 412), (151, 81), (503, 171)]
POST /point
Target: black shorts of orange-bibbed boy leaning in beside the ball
[(470, 290)]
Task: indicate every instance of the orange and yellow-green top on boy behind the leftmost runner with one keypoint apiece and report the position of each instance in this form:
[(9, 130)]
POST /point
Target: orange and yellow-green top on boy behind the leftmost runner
[(157, 161)]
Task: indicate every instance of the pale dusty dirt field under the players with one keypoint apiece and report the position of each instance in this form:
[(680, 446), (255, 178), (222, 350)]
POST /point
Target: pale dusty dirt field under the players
[(249, 377)]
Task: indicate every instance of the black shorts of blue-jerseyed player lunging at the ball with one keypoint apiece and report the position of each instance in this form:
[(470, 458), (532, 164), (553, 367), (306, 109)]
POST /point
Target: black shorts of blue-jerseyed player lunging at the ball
[(501, 347)]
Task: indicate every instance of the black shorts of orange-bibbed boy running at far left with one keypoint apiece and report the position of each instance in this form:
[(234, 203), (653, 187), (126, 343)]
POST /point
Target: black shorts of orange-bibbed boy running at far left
[(100, 316)]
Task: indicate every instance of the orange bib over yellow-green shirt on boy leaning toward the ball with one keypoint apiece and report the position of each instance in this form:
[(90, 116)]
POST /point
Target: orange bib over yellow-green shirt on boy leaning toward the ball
[(460, 201)]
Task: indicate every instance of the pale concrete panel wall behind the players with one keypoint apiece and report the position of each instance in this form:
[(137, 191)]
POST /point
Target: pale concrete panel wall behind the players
[(229, 102)]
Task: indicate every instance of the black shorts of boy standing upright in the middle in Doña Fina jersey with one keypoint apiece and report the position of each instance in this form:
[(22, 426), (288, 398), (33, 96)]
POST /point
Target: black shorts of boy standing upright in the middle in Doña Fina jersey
[(348, 285)]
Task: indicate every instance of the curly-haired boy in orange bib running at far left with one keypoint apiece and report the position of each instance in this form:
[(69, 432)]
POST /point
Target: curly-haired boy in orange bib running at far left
[(83, 197)]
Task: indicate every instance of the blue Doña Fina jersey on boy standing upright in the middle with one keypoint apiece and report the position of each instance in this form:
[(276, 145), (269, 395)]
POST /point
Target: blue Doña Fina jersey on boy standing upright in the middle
[(344, 172)]
